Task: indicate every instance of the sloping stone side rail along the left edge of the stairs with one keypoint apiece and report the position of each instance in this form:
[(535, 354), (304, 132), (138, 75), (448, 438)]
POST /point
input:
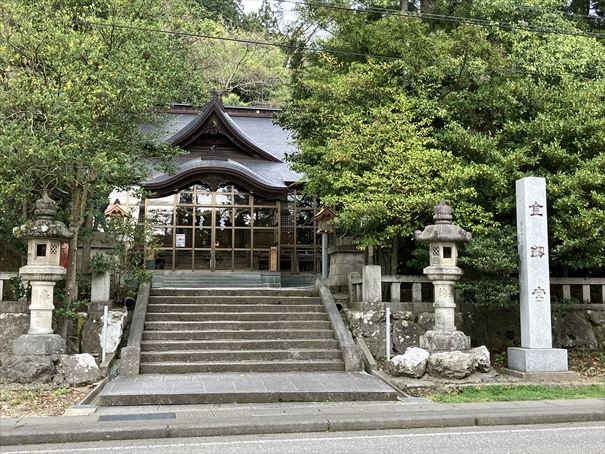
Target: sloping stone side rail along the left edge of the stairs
[(131, 354)]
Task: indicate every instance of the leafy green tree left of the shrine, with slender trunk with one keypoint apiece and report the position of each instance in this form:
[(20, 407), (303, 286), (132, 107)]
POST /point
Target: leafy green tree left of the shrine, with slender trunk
[(78, 79)]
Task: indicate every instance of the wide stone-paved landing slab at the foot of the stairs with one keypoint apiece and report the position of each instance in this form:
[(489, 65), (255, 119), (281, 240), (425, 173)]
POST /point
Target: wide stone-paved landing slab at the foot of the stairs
[(212, 388)]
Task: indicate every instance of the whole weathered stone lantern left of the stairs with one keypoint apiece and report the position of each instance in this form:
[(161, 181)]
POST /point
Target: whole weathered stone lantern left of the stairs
[(44, 236)]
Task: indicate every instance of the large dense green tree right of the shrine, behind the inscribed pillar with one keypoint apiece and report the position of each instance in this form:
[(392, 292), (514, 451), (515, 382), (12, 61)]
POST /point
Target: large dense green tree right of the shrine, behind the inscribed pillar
[(501, 104)]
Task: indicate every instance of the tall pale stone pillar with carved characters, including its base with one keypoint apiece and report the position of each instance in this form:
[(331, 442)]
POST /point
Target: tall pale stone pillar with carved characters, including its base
[(535, 354)]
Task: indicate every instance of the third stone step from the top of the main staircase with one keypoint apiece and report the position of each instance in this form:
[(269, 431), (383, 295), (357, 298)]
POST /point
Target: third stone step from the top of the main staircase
[(234, 308)]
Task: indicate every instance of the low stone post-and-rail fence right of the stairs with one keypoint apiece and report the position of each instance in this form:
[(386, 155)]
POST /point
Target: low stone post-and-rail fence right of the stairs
[(356, 283)]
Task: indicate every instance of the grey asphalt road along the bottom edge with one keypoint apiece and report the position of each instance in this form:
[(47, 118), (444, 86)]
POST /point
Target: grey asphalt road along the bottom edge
[(581, 438)]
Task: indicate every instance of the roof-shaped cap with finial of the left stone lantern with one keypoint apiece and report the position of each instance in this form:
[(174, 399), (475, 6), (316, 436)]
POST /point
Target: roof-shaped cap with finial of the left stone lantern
[(44, 225)]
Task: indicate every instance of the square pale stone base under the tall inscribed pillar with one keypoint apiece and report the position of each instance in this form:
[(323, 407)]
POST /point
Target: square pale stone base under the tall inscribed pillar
[(537, 359)]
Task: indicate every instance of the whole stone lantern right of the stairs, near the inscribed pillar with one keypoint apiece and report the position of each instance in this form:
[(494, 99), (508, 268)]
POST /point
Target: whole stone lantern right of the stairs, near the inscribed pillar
[(443, 237)]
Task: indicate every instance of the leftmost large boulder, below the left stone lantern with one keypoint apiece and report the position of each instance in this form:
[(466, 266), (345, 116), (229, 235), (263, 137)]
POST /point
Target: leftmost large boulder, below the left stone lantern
[(27, 369)]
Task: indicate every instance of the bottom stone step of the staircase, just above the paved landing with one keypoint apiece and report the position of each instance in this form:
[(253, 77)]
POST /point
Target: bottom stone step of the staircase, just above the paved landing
[(174, 367)]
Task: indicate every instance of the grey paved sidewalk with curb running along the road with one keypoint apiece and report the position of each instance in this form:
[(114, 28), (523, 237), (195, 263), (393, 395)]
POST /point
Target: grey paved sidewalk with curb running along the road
[(161, 421)]
